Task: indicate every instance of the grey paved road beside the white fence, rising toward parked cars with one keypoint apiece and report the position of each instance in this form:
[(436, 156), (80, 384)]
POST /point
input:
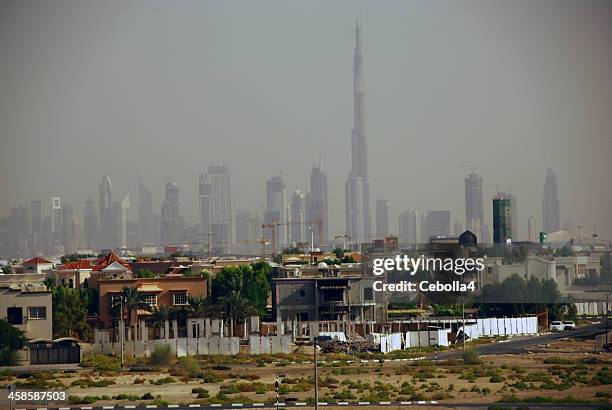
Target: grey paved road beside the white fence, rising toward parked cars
[(522, 343)]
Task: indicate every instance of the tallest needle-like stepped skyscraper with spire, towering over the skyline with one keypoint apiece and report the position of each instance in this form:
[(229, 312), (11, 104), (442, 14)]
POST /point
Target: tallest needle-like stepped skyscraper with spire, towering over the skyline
[(357, 187)]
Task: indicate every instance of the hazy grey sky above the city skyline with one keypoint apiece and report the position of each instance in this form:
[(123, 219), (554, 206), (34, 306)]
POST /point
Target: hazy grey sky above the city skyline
[(159, 89)]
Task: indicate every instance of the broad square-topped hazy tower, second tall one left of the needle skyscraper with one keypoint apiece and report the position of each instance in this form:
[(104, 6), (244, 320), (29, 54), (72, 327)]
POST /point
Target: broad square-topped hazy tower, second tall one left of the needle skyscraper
[(276, 209)]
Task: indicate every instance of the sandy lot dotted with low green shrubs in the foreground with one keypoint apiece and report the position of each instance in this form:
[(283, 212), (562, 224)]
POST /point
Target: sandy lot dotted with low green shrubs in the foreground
[(563, 371)]
